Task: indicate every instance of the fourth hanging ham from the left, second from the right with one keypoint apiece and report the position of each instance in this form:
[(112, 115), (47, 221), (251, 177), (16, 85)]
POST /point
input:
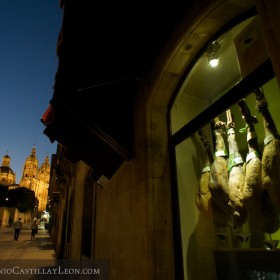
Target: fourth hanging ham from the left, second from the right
[(255, 197)]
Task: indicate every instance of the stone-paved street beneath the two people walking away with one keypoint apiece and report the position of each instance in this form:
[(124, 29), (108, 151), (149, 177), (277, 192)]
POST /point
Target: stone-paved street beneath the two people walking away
[(20, 259)]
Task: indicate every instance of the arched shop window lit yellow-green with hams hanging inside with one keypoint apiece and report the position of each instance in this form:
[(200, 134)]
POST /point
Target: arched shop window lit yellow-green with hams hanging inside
[(228, 170)]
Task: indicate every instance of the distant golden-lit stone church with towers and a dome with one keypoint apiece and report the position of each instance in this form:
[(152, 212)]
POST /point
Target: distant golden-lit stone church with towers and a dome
[(33, 177)]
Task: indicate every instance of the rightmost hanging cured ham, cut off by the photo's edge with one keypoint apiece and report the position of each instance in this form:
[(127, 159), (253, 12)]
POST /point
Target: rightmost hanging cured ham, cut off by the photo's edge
[(271, 152)]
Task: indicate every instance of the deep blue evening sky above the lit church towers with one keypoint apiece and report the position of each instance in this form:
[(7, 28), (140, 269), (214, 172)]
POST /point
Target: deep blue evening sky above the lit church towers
[(29, 30)]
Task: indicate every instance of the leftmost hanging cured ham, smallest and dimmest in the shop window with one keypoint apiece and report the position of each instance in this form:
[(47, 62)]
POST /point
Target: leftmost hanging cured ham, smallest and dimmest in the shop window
[(204, 201)]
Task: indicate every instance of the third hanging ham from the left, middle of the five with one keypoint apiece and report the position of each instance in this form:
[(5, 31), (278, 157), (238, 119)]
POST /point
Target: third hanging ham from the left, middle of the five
[(236, 176)]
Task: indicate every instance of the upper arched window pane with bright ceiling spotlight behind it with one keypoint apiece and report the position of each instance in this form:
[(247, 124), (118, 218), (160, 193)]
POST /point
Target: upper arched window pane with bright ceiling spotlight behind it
[(239, 51)]
